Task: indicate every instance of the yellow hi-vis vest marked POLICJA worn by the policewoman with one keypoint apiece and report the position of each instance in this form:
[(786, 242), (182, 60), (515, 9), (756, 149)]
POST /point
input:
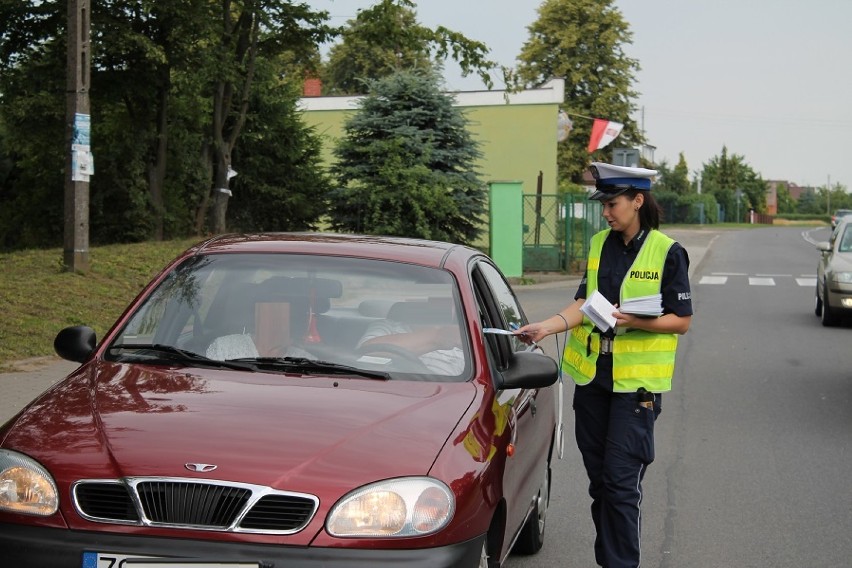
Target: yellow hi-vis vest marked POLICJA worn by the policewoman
[(639, 358)]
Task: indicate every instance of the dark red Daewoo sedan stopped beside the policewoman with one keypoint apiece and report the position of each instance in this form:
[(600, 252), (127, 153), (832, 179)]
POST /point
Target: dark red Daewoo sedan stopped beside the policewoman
[(291, 400)]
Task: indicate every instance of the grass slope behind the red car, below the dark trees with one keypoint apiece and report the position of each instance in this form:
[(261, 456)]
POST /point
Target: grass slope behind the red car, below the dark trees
[(38, 297)]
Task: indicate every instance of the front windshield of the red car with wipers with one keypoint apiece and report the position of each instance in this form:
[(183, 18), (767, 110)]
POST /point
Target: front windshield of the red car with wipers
[(303, 314)]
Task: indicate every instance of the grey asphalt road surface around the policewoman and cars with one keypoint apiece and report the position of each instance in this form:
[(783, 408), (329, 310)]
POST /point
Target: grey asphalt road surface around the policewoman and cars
[(754, 444)]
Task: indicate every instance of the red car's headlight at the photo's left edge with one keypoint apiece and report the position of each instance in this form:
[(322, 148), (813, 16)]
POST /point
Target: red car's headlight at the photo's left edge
[(25, 486)]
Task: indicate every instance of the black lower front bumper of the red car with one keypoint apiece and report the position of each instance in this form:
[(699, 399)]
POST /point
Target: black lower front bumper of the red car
[(38, 547)]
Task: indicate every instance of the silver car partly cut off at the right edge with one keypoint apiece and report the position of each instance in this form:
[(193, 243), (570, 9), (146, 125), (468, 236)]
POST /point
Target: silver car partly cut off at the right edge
[(834, 274)]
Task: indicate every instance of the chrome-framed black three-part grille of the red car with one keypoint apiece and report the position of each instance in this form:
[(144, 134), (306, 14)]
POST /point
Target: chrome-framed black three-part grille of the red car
[(185, 503)]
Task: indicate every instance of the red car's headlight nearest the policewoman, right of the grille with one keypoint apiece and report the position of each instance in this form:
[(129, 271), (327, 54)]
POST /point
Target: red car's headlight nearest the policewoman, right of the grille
[(411, 506)]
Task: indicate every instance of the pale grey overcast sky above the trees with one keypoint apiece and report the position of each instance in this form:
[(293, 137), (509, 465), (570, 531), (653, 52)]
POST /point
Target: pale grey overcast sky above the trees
[(769, 79)]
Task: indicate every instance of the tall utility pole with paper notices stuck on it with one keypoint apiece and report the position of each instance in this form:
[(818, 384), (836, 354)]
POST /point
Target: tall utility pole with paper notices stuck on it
[(78, 162)]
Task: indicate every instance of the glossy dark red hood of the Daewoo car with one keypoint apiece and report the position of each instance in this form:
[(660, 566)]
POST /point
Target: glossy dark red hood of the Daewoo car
[(111, 420)]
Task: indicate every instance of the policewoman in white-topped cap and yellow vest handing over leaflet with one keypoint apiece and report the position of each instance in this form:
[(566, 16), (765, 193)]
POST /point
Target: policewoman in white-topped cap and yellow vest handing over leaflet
[(620, 373)]
